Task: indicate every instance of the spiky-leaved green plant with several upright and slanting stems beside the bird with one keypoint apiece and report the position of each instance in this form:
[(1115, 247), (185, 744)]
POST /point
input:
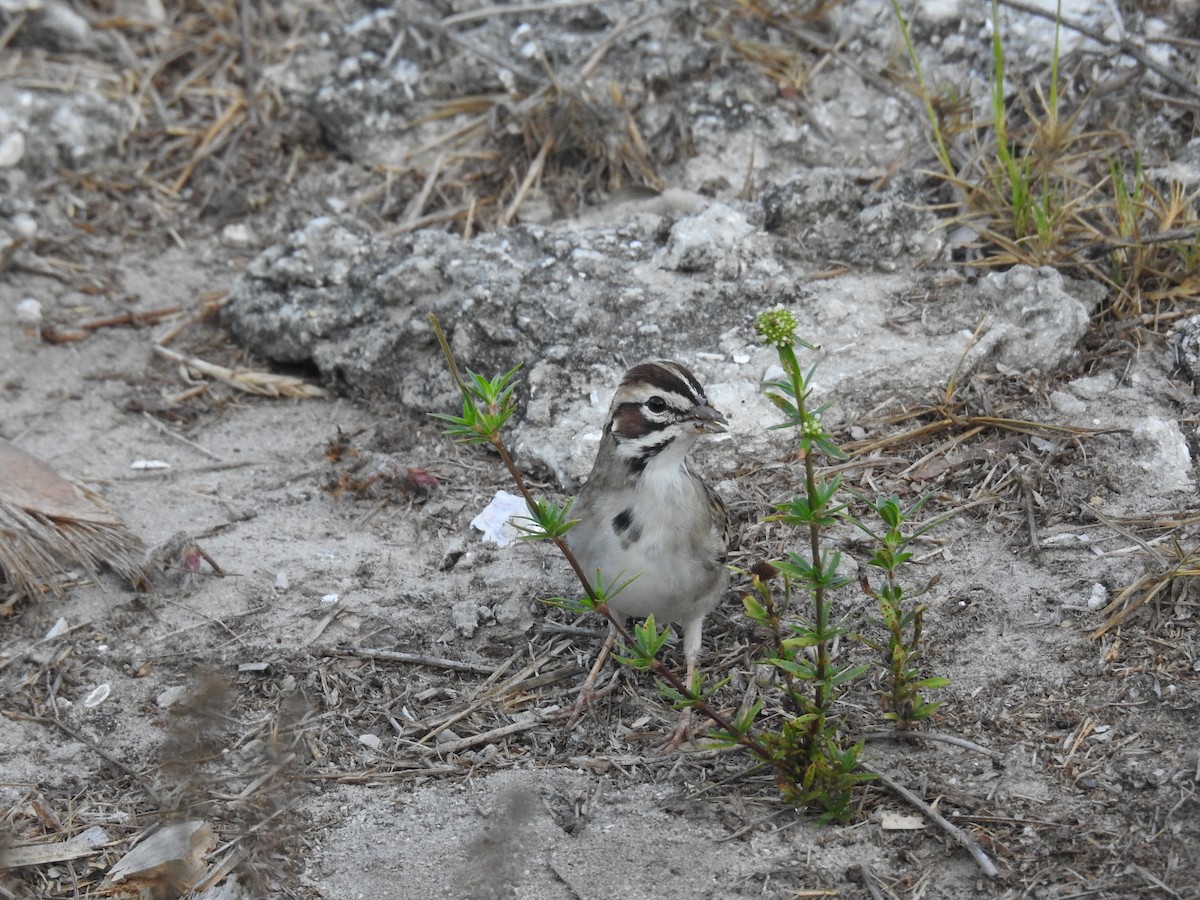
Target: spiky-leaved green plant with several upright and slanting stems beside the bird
[(802, 737)]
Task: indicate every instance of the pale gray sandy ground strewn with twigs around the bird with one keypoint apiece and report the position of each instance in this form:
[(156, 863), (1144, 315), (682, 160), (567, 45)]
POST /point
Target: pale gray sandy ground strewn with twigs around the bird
[(273, 699)]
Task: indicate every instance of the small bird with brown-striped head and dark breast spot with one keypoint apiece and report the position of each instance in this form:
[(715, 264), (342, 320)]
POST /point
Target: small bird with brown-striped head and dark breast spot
[(646, 515)]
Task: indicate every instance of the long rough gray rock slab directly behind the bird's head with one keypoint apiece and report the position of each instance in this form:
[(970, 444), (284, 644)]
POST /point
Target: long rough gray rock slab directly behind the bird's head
[(357, 305)]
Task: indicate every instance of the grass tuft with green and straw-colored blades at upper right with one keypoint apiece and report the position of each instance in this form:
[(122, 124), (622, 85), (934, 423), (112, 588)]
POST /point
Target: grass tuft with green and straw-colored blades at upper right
[(1041, 188)]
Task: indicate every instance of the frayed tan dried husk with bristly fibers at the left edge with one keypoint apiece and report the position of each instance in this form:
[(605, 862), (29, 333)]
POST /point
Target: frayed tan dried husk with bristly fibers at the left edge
[(49, 524)]
